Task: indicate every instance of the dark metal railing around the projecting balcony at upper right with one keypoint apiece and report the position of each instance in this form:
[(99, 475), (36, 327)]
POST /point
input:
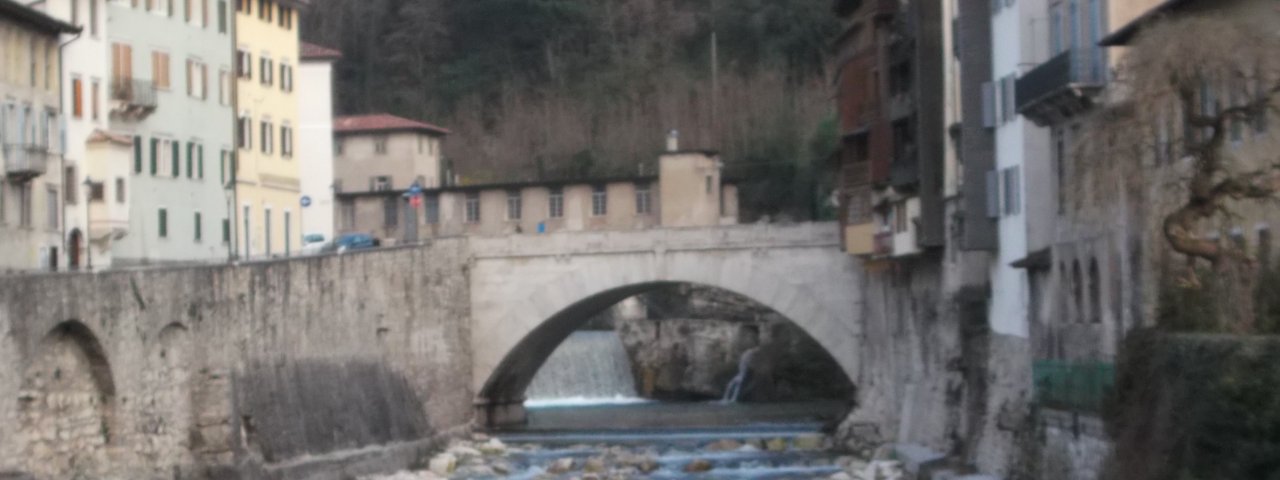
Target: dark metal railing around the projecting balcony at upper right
[(1072, 68)]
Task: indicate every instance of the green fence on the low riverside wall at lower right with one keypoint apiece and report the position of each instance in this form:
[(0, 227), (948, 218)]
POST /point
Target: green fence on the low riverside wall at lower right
[(1073, 386)]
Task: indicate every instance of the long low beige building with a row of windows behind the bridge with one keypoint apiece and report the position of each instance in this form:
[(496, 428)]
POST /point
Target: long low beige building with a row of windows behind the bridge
[(688, 191)]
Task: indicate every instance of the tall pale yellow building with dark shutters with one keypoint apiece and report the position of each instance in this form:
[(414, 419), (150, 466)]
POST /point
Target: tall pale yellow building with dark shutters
[(268, 194)]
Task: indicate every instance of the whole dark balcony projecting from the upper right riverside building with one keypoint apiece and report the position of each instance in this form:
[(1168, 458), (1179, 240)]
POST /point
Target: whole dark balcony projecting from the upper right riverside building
[(1062, 88)]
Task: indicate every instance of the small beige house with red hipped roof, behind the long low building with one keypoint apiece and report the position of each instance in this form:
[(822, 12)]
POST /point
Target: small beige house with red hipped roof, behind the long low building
[(385, 153)]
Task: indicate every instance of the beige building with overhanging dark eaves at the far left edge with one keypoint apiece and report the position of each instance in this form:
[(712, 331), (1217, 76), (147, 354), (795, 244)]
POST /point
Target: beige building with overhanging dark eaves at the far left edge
[(31, 222)]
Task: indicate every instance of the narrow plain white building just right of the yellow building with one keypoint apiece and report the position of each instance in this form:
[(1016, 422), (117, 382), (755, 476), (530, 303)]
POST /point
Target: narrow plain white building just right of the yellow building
[(316, 147)]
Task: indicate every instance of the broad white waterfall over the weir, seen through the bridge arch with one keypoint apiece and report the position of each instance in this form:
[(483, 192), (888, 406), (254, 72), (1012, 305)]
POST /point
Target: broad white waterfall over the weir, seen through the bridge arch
[(591, 368)]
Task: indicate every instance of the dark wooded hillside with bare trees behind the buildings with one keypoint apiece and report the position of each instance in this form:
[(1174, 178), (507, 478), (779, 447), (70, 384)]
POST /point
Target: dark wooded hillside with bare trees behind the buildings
[(580, 89)]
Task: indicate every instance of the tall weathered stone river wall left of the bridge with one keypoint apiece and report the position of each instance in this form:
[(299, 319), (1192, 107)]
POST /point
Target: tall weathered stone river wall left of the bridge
[(263, 371)]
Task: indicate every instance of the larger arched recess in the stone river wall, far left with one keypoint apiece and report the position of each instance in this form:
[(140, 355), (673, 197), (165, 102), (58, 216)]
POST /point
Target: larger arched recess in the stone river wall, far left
[(67, 404)]
